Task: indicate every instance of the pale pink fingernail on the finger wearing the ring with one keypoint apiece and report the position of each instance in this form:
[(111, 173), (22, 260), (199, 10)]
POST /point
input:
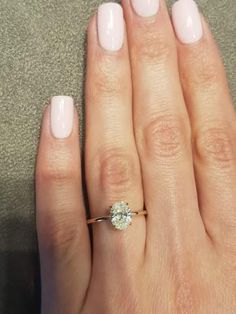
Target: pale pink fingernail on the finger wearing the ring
[(110, 26)]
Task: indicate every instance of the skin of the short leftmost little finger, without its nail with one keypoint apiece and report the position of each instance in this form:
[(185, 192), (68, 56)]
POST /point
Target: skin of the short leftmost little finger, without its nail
[(61, 223)]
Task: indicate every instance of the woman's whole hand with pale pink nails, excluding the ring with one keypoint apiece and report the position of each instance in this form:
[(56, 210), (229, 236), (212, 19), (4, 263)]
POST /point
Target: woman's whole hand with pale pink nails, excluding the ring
[(160, 131)]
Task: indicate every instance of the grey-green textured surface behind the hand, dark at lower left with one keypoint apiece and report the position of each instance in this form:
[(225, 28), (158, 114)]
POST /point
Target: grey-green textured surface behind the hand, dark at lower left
[(42, 53)]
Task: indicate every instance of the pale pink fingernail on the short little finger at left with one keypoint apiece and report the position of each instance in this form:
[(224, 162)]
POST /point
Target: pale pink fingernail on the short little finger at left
[(62, 116)]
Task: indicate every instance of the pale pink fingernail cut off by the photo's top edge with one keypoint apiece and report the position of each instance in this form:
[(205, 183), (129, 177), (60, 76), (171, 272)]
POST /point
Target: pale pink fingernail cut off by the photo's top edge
[(145, 8)]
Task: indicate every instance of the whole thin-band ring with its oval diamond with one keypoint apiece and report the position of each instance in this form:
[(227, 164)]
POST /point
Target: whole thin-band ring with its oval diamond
[(120, 215)]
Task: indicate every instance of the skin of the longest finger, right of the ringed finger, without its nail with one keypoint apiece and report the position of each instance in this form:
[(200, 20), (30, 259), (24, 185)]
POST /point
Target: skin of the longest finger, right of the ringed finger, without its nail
[(163, 134)]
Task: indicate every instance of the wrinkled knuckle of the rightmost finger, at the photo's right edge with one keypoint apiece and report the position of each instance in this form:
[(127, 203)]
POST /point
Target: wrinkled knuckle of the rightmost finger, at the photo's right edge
[(215, 145)]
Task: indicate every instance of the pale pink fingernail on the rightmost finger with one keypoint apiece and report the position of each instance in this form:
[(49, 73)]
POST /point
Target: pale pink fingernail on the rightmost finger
[(187, 21)]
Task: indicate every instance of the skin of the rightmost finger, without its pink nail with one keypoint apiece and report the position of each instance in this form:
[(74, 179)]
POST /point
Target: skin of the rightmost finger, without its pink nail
[(213, 123)]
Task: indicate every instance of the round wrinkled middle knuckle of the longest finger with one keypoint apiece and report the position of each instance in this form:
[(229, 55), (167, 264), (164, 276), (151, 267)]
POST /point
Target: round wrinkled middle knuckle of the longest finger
[(165, 137)]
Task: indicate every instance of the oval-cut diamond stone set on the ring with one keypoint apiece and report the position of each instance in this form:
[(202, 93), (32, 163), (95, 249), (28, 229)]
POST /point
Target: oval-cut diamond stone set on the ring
[(121, 215)]
